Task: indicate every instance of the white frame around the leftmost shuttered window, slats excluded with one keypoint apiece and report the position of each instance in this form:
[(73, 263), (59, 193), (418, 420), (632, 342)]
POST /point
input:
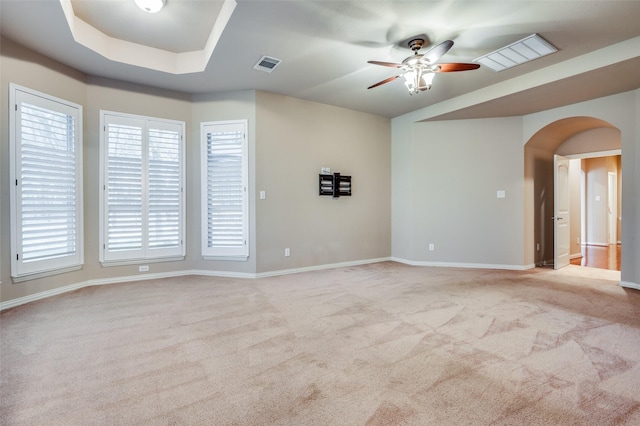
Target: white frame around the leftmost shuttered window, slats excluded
[(21, 270)]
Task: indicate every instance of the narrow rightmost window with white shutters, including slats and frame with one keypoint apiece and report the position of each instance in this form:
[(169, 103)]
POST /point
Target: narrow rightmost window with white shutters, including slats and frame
[(225, 164)]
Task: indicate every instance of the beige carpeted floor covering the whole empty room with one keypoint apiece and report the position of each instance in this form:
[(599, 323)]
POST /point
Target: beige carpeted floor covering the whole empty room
[(380, 344)]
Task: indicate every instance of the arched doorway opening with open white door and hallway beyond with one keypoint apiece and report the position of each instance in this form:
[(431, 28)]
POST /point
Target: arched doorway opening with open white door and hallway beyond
[(580, 139)]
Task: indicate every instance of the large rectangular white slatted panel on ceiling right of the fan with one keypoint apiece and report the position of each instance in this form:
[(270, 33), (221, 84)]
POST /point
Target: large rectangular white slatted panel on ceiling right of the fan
[(525, 50)]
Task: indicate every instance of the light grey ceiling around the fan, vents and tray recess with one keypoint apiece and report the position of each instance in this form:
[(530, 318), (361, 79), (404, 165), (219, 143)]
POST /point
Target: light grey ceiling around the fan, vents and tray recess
[(324, 46)]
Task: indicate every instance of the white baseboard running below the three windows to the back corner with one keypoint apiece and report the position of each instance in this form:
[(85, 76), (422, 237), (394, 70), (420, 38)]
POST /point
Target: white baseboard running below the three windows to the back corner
[(143, 277)]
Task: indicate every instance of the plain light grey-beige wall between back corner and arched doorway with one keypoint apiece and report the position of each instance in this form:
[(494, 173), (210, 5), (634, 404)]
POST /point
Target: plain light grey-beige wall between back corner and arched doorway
[(456, 170)]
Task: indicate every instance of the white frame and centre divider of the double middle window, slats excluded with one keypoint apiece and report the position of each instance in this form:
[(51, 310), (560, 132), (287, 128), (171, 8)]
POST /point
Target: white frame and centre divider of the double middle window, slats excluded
[(146, 254)]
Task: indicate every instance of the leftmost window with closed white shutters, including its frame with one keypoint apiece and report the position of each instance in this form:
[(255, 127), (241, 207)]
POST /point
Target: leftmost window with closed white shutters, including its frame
[(46, 183)]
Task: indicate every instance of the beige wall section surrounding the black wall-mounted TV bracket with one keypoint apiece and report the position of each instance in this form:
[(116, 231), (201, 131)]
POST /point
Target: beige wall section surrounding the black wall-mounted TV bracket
[(295, 139)]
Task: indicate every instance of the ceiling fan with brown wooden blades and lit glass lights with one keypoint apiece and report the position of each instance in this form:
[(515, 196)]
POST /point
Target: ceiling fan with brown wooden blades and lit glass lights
[(419, 69)]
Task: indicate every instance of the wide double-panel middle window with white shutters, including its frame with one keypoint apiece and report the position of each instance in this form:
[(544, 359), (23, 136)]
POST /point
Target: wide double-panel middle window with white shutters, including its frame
[(142, 207)]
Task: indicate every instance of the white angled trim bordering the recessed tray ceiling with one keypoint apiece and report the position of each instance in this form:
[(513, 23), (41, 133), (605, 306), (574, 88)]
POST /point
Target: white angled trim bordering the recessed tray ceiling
[(145, 56)]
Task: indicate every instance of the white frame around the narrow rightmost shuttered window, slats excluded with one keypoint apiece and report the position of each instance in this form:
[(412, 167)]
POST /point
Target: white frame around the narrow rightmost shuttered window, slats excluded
[(221, 252)]
